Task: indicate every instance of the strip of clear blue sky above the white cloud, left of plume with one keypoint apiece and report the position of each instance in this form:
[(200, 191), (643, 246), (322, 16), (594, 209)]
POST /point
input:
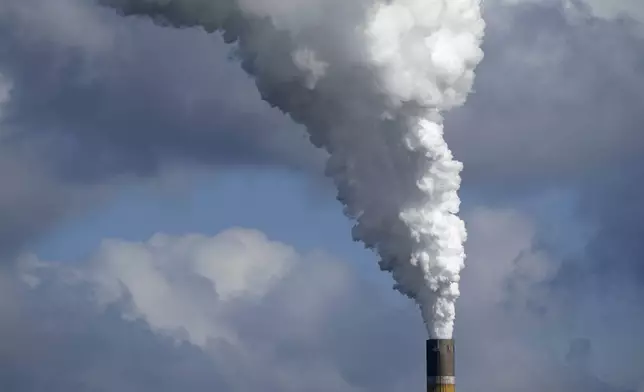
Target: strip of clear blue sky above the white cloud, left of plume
[(284, 204)]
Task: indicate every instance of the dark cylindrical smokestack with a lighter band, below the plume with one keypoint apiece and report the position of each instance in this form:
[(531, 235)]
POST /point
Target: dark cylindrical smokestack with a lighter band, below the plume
[(440, 365)]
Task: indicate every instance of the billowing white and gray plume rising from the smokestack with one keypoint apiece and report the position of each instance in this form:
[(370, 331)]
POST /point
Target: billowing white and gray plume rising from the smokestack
[(369, 80)]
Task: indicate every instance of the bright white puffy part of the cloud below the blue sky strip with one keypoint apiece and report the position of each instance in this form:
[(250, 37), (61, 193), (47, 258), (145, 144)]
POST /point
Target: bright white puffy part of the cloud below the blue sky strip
[(184, 286)]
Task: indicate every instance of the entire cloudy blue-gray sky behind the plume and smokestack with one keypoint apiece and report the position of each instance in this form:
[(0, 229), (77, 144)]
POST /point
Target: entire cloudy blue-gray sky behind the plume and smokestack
[(163, 228)]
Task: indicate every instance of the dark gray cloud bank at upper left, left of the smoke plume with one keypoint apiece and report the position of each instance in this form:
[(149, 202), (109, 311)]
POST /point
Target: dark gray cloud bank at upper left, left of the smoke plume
[(123, 95)]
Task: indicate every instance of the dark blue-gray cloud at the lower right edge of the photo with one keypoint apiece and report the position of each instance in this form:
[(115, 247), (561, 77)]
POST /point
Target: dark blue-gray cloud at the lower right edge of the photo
[(599, 290)]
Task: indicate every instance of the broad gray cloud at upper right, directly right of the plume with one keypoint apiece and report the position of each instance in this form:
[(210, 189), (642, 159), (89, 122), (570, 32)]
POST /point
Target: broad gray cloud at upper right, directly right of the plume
[(558, 97)]
